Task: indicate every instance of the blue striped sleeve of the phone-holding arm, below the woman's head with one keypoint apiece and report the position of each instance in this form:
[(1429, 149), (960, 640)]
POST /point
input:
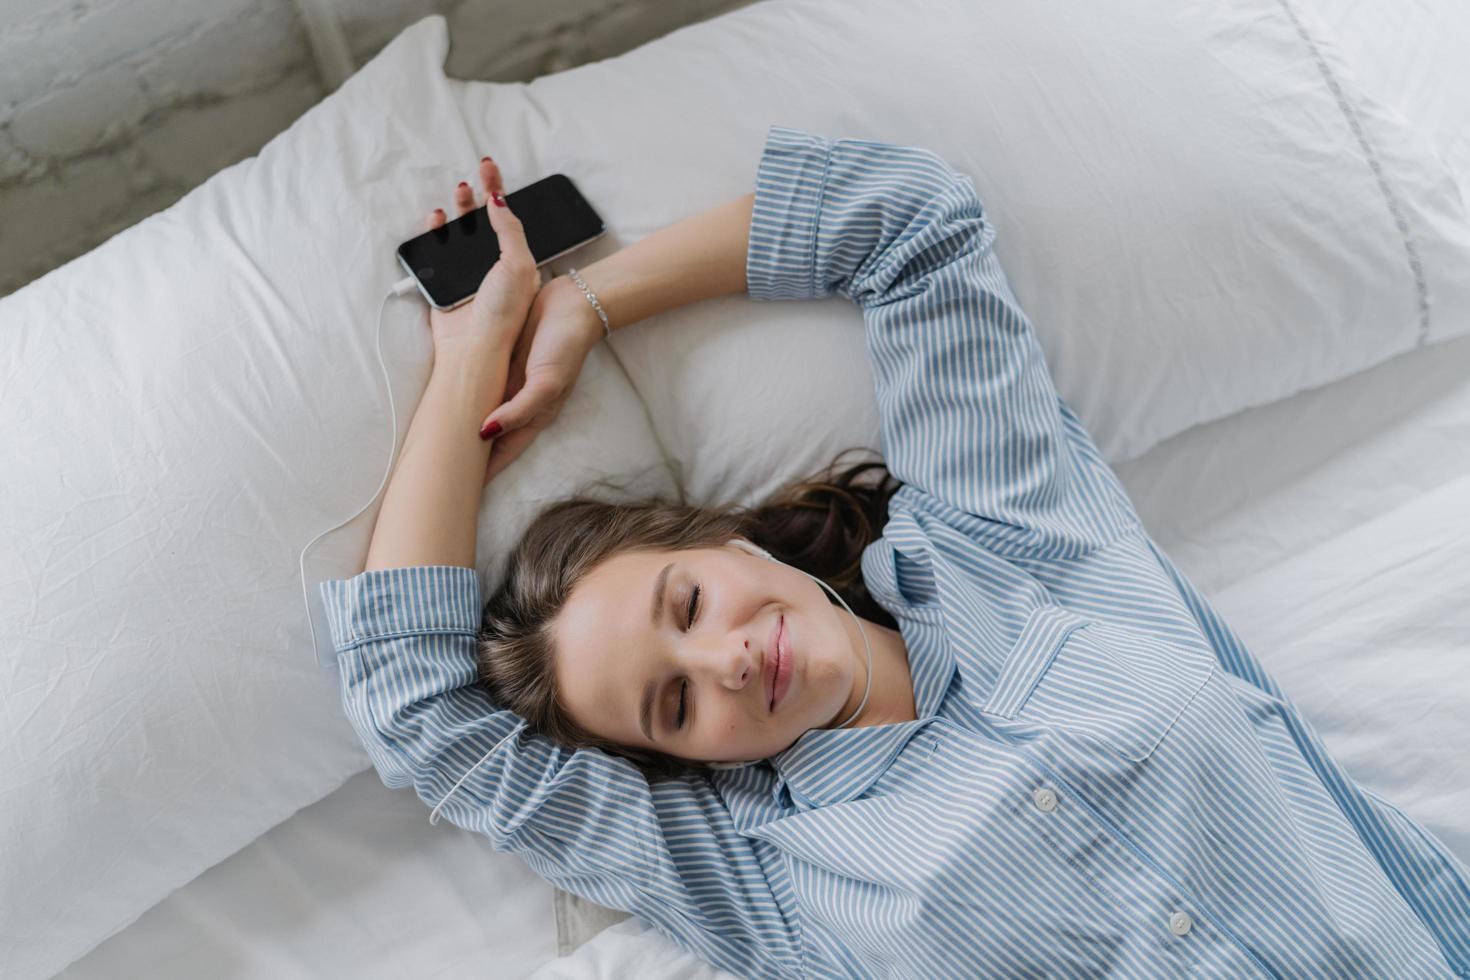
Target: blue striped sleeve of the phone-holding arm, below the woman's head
[(587, 822)]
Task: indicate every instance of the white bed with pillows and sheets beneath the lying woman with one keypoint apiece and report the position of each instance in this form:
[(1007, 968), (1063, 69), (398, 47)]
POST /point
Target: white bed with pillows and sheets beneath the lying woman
[(1315, 493)]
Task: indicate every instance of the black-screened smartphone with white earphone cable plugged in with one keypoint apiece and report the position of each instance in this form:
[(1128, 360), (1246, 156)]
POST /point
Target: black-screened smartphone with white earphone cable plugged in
[(451, 262)]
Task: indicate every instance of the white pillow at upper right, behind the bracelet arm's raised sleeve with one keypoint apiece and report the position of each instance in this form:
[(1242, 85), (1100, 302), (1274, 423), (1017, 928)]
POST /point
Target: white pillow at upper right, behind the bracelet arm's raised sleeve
[(1184, 206)]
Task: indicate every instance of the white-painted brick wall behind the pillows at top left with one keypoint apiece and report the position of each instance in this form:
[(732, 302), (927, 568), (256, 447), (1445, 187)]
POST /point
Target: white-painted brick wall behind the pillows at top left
[(114, 109)]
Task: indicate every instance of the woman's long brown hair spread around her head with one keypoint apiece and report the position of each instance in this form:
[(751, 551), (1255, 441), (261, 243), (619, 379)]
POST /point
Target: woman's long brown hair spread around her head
[(820, 525)]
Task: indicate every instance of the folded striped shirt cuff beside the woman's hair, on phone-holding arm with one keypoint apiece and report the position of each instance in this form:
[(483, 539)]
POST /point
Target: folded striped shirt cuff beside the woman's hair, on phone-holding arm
[(383, 603)]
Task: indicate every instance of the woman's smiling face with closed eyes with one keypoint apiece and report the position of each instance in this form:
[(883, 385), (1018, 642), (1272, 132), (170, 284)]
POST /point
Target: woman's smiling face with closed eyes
[(627, 628)]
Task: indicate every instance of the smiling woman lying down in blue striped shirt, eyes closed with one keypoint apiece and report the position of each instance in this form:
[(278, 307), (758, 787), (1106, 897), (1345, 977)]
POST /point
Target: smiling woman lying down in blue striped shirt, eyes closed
[(1039, 752)]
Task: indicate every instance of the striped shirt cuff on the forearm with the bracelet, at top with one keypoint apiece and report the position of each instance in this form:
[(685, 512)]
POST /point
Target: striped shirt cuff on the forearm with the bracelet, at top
[(781, 261)]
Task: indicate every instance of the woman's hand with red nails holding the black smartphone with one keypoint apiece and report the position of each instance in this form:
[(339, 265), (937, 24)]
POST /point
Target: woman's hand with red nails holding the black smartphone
[(493, 320)]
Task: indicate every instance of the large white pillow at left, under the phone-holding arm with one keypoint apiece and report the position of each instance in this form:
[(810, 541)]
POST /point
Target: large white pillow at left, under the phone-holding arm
[(186, 408)]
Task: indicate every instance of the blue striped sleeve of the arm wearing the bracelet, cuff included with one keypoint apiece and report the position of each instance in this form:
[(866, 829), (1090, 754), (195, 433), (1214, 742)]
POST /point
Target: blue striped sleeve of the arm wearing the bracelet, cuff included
[(971, 419)]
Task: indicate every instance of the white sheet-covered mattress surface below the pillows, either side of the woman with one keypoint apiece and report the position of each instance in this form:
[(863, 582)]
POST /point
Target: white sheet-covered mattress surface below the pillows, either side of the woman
[(1330, 530)]
